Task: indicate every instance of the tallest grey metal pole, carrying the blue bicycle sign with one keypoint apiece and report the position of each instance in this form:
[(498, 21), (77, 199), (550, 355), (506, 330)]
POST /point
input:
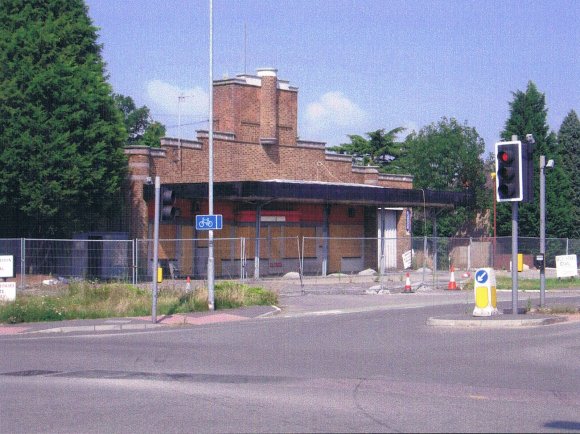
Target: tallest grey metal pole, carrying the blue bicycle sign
[(210, 262)]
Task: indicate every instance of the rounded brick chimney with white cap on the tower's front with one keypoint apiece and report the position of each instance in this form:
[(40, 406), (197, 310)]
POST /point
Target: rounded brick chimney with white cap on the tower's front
[(268, 106)]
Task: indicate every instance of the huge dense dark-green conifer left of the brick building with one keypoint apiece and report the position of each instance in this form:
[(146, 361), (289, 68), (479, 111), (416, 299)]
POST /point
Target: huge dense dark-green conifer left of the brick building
[(61, 136)]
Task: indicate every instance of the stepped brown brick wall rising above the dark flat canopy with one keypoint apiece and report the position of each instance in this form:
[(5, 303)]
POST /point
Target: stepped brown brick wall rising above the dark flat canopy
[(246, 110)]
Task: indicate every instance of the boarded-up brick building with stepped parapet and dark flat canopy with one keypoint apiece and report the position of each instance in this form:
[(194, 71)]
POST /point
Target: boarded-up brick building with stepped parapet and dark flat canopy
[(268, 185)]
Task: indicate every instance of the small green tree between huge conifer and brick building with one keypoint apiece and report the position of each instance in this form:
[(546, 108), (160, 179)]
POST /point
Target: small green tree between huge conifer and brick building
[(141, 130)]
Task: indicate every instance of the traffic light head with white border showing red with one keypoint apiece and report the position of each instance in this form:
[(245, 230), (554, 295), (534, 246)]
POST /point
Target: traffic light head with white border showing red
[(508, 167)]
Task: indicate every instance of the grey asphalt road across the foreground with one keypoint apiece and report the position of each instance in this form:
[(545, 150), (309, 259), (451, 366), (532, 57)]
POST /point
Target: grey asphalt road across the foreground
[(368, 370)]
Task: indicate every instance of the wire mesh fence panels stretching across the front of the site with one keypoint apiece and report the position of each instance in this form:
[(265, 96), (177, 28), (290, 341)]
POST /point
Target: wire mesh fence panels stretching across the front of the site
[(379, 260)]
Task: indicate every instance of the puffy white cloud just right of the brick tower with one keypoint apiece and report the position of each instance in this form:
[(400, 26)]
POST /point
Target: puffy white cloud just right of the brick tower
[(333, 116)]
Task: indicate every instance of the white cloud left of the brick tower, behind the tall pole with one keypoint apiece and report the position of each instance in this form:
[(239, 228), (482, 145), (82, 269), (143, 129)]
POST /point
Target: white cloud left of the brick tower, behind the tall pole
[(164, 97)]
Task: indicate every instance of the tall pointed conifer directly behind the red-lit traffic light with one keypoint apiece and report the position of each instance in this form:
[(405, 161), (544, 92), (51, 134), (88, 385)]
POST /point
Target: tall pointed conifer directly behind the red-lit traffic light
[(528, 115)]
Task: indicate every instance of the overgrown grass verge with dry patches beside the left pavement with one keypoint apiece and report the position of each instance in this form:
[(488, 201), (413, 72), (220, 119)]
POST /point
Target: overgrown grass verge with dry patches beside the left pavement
[(86, 300)]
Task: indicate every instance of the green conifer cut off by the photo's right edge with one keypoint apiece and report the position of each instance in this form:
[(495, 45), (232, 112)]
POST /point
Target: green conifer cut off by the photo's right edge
[(569, 152)]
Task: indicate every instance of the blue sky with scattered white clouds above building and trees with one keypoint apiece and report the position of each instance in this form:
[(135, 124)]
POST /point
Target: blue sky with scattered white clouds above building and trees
[(359, 65)]
